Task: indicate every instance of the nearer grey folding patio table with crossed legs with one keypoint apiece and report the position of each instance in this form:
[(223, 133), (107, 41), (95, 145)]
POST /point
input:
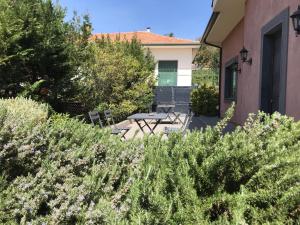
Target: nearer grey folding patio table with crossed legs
[(157, 117)]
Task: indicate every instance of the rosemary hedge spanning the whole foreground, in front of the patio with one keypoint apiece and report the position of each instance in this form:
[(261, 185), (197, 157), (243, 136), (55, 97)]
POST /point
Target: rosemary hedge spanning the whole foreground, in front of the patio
[(73, 173)]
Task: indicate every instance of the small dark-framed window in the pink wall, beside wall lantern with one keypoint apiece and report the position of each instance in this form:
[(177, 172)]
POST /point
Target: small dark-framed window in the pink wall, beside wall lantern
[(231, 81)]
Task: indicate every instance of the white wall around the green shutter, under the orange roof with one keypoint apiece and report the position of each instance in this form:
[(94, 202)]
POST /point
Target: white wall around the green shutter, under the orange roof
[(184, 56)]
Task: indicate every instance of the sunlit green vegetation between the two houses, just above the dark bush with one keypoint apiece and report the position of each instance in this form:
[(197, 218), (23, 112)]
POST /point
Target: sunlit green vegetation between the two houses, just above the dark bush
[(205, 77)]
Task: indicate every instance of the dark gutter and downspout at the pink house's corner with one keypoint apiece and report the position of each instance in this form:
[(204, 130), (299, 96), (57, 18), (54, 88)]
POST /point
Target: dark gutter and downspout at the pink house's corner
[(210, 25)]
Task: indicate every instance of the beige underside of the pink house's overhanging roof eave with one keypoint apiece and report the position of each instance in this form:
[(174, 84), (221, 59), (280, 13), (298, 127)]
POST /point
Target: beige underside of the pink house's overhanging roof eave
[(226, 15)]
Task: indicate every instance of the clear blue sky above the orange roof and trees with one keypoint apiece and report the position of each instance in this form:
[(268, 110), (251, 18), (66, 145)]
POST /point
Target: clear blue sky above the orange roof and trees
[(185, 18)]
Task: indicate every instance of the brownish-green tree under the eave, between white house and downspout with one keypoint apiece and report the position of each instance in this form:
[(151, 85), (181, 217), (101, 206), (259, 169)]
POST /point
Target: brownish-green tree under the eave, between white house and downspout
[(207, 57)]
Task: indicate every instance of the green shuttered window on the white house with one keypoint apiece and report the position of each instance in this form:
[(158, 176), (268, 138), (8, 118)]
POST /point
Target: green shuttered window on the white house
[(167, 73)]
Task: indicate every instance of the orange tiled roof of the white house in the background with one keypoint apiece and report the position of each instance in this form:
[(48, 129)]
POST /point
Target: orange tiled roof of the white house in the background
[(147, 38)]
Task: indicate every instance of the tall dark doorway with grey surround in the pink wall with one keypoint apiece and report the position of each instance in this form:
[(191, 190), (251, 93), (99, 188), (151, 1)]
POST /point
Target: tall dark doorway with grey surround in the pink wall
[(274, 64)]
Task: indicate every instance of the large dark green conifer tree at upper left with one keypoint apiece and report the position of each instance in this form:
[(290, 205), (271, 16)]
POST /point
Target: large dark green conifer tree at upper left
[(36, 44)]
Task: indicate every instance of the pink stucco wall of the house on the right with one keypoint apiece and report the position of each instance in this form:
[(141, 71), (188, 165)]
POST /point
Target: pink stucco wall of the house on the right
[(248, 33)]
